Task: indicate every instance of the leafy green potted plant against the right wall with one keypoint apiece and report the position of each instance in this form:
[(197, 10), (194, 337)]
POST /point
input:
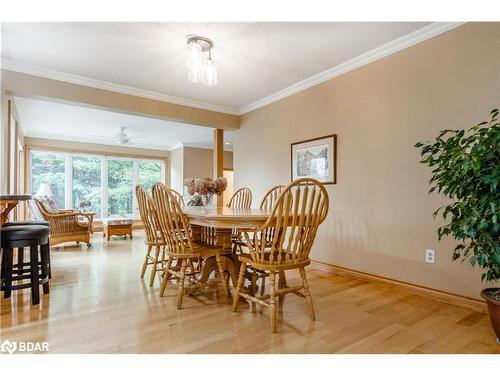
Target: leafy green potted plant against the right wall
[(466, 168)]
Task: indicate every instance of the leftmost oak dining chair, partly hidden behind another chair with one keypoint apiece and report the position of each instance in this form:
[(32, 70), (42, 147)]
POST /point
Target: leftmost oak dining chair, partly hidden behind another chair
[(154, 239)]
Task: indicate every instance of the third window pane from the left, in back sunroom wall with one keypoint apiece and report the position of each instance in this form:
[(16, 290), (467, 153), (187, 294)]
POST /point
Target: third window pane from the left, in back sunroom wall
[(120, 187)]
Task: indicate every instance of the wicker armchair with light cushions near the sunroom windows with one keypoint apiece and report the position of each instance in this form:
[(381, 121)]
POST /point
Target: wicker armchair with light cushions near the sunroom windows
[(65, 225)]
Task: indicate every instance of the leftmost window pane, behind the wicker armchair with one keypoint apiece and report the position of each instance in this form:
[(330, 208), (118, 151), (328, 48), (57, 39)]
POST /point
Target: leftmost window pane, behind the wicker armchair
[(49, 168)]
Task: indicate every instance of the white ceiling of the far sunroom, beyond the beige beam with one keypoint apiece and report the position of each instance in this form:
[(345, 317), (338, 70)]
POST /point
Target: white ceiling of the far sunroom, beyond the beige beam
[(76, 123)]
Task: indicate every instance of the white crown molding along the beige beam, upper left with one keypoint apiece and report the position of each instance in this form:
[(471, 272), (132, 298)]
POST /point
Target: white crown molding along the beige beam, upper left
[(110, 86)]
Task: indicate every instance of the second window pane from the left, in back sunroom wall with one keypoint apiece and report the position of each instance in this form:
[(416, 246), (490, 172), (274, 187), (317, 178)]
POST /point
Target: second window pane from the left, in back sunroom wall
[(86, 189)]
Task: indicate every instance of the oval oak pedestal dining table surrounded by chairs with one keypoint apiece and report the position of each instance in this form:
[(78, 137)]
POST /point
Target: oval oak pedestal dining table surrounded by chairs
[(221, 223)]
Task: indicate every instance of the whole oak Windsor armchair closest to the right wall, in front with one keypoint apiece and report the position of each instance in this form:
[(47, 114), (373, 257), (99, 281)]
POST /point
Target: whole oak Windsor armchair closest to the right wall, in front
[(295, 218)]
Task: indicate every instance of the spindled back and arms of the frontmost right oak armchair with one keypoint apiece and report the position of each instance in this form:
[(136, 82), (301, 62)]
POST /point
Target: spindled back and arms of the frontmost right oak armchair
[(299, 210)]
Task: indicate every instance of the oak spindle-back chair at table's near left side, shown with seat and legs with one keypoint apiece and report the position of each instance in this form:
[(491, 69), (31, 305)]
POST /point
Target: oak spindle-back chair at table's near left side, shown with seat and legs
[(174, 225)]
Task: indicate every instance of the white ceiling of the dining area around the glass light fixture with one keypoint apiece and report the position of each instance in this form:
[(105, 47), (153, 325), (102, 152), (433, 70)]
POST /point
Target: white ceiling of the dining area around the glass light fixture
[(254, 60)]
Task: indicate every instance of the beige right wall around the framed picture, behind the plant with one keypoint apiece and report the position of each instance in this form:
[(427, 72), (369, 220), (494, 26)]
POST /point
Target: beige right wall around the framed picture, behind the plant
[(381, 214)]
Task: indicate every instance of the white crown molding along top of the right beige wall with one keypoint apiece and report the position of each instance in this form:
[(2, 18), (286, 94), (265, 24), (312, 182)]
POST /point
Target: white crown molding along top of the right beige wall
[(375, 54)]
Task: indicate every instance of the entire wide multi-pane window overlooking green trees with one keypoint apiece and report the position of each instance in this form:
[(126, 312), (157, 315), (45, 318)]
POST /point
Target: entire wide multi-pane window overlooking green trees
[(101, 184)]
